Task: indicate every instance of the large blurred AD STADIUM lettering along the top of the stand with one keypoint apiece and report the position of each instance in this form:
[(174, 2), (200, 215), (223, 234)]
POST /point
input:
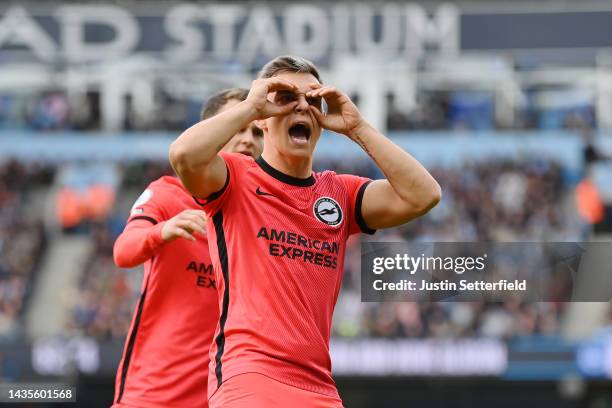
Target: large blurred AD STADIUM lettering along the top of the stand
[(225, 33)]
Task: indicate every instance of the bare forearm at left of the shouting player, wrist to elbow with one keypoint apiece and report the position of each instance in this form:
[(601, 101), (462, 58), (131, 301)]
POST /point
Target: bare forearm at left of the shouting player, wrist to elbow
[(197, 146)]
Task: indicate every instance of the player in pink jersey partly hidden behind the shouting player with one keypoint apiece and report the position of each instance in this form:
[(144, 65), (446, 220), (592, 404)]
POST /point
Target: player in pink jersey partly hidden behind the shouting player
[(165, 359)]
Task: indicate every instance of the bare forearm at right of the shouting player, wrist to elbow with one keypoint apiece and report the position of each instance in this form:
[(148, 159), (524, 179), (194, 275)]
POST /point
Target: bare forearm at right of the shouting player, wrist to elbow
[(409, 179)]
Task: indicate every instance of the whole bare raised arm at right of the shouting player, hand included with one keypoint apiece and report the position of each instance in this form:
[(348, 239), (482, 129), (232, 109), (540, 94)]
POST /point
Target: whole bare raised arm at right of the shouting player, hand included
[(409, 190)]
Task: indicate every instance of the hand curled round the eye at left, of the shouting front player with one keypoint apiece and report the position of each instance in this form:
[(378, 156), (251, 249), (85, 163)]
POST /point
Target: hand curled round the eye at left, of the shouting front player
[(258, 97)]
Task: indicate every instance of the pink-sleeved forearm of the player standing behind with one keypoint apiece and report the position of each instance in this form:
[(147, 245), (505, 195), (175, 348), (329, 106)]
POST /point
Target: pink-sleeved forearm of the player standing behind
[(137, 244)]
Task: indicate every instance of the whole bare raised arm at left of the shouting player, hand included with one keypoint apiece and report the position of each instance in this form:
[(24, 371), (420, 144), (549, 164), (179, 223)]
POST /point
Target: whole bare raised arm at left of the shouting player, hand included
[(194, 155)]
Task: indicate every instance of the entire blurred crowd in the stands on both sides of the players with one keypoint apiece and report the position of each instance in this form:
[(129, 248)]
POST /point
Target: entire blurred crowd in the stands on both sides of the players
[(487, 201)]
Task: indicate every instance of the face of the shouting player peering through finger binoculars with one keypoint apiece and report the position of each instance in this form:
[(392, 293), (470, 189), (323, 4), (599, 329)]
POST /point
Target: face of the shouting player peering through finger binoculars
[(296, 133)]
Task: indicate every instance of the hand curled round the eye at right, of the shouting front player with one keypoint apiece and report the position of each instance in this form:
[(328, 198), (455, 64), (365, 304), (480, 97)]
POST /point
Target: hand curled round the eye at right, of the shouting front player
[(342, 115)]
